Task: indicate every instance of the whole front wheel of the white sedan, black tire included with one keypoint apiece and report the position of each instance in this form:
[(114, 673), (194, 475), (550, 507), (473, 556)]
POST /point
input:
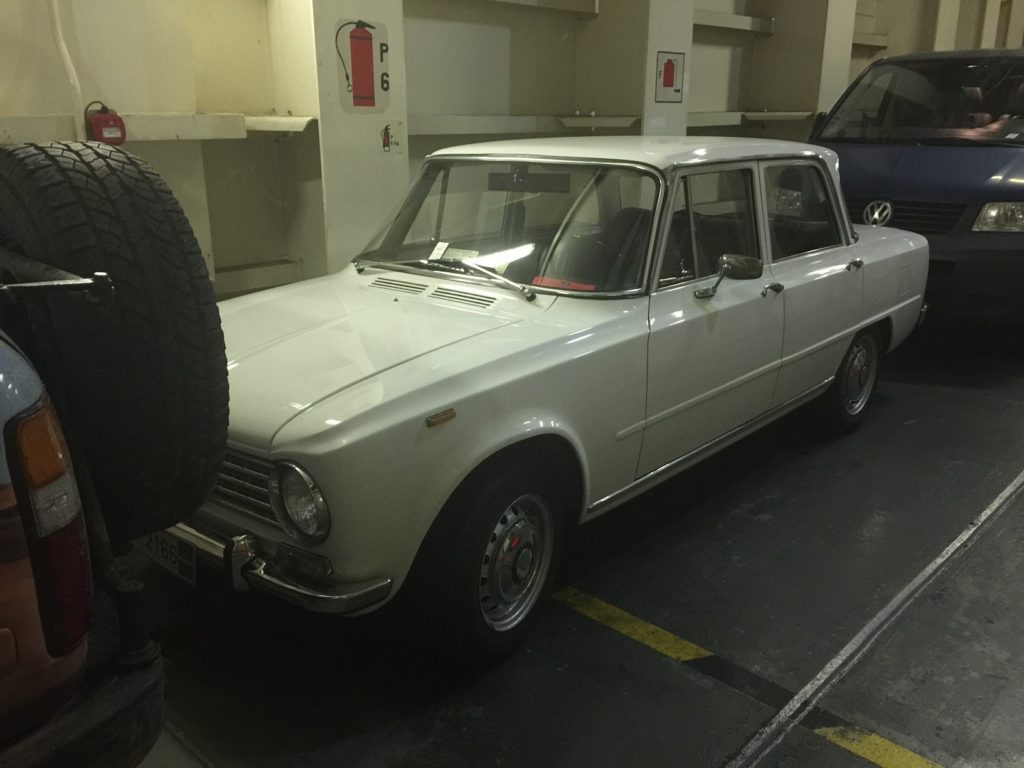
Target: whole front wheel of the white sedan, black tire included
[(473, 607)]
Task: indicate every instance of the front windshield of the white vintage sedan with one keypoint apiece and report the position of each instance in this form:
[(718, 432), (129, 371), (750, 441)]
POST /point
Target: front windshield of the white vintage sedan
[(582, 229)]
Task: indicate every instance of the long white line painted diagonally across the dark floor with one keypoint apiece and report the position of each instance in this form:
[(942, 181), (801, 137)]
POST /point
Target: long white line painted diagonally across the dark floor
[(790, 716)]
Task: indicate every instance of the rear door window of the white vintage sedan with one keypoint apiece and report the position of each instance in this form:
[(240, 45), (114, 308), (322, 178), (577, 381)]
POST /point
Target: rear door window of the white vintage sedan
[(801, 219)]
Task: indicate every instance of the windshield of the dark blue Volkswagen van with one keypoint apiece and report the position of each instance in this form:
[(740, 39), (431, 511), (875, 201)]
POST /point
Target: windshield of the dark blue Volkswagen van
[(953, 101)]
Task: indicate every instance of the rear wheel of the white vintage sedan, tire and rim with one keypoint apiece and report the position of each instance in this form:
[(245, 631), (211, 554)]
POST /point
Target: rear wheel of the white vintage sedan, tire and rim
[(845, 403)]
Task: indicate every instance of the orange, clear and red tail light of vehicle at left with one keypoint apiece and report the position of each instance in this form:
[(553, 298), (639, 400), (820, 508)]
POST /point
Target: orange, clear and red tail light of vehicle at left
[(58, 538)]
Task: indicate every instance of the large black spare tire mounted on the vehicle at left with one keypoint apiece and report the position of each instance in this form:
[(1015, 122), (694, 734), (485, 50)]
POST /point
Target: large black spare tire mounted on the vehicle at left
[(145, 376)]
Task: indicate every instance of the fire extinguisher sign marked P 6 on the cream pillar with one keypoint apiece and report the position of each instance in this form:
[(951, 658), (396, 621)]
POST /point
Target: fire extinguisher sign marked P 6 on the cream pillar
[(363, 65)]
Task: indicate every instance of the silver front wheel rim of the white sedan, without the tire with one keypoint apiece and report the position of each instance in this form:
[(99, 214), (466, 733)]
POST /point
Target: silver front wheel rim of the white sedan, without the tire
[(516, 563)]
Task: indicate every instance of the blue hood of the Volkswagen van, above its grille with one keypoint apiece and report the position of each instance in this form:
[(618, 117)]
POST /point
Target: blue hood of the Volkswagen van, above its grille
[(927, 173)]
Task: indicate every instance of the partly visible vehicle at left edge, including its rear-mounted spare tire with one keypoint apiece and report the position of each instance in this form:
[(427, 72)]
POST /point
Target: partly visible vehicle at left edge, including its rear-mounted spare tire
[(113, 403)]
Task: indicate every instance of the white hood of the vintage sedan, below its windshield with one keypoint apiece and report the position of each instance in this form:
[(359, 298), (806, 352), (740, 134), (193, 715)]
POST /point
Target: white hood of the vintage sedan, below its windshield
[(292, 348)]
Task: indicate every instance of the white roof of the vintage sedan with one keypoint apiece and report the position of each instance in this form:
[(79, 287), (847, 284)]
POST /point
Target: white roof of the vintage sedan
[(661, 152)]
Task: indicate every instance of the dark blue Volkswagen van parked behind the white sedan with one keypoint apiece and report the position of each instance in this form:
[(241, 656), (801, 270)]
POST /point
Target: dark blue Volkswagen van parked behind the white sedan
[(934, 144)]
